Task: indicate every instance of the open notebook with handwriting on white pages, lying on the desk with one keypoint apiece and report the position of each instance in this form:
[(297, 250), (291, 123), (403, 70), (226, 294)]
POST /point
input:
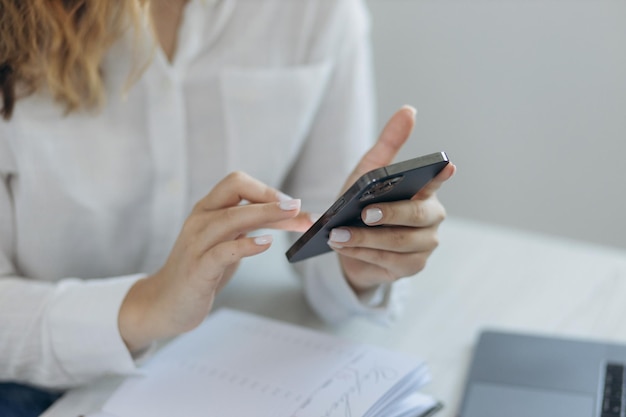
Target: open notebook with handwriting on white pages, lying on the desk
[(238, 364)]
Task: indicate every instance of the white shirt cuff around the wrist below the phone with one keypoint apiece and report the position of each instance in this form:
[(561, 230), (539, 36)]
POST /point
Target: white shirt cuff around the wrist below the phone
[(330, 295)]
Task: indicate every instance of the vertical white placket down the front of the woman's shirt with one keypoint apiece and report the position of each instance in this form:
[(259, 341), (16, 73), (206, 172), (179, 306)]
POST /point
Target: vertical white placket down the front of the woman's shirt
[(168, 136)]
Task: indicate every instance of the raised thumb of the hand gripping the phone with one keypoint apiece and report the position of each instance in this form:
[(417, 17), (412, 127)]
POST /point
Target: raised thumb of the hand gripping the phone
[(393, 136)]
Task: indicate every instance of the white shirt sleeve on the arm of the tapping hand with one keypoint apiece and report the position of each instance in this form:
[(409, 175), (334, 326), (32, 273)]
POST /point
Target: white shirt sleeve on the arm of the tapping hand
[(55, 335)]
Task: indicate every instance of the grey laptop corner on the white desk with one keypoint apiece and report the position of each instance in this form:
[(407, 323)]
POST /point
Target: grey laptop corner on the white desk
[(521, 375)]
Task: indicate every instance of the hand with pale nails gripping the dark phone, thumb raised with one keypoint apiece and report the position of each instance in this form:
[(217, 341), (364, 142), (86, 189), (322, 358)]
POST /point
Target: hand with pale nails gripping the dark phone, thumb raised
[(407, 230)]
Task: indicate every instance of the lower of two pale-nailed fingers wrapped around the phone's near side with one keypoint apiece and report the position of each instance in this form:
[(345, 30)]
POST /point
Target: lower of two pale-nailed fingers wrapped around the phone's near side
[(388, 239)]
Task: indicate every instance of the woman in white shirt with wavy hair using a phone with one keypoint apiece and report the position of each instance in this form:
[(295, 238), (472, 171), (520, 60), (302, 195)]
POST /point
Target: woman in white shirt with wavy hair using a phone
[(122, 116)]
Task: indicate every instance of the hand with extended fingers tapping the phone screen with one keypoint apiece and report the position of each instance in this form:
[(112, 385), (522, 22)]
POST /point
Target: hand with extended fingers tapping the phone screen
[(212, 242)]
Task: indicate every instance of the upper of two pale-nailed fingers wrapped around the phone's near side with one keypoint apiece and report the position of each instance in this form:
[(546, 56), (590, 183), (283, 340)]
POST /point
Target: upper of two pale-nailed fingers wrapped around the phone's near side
[(411, 213)]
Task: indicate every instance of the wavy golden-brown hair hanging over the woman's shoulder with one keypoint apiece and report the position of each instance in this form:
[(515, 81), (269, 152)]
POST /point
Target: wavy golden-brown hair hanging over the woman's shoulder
[(59, 45)]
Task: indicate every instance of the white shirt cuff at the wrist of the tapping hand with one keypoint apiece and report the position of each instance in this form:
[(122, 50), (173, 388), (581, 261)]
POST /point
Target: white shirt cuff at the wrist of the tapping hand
[(82, 327)]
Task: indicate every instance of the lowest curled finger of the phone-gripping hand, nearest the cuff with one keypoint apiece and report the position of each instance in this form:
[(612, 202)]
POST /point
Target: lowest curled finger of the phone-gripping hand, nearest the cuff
[(374, 267)]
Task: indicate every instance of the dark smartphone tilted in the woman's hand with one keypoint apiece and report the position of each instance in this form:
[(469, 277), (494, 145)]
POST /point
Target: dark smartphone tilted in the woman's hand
[(399, 181)]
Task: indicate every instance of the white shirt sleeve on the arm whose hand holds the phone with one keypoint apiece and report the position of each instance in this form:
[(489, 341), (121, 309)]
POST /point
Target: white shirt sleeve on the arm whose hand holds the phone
[(343, 131)]
